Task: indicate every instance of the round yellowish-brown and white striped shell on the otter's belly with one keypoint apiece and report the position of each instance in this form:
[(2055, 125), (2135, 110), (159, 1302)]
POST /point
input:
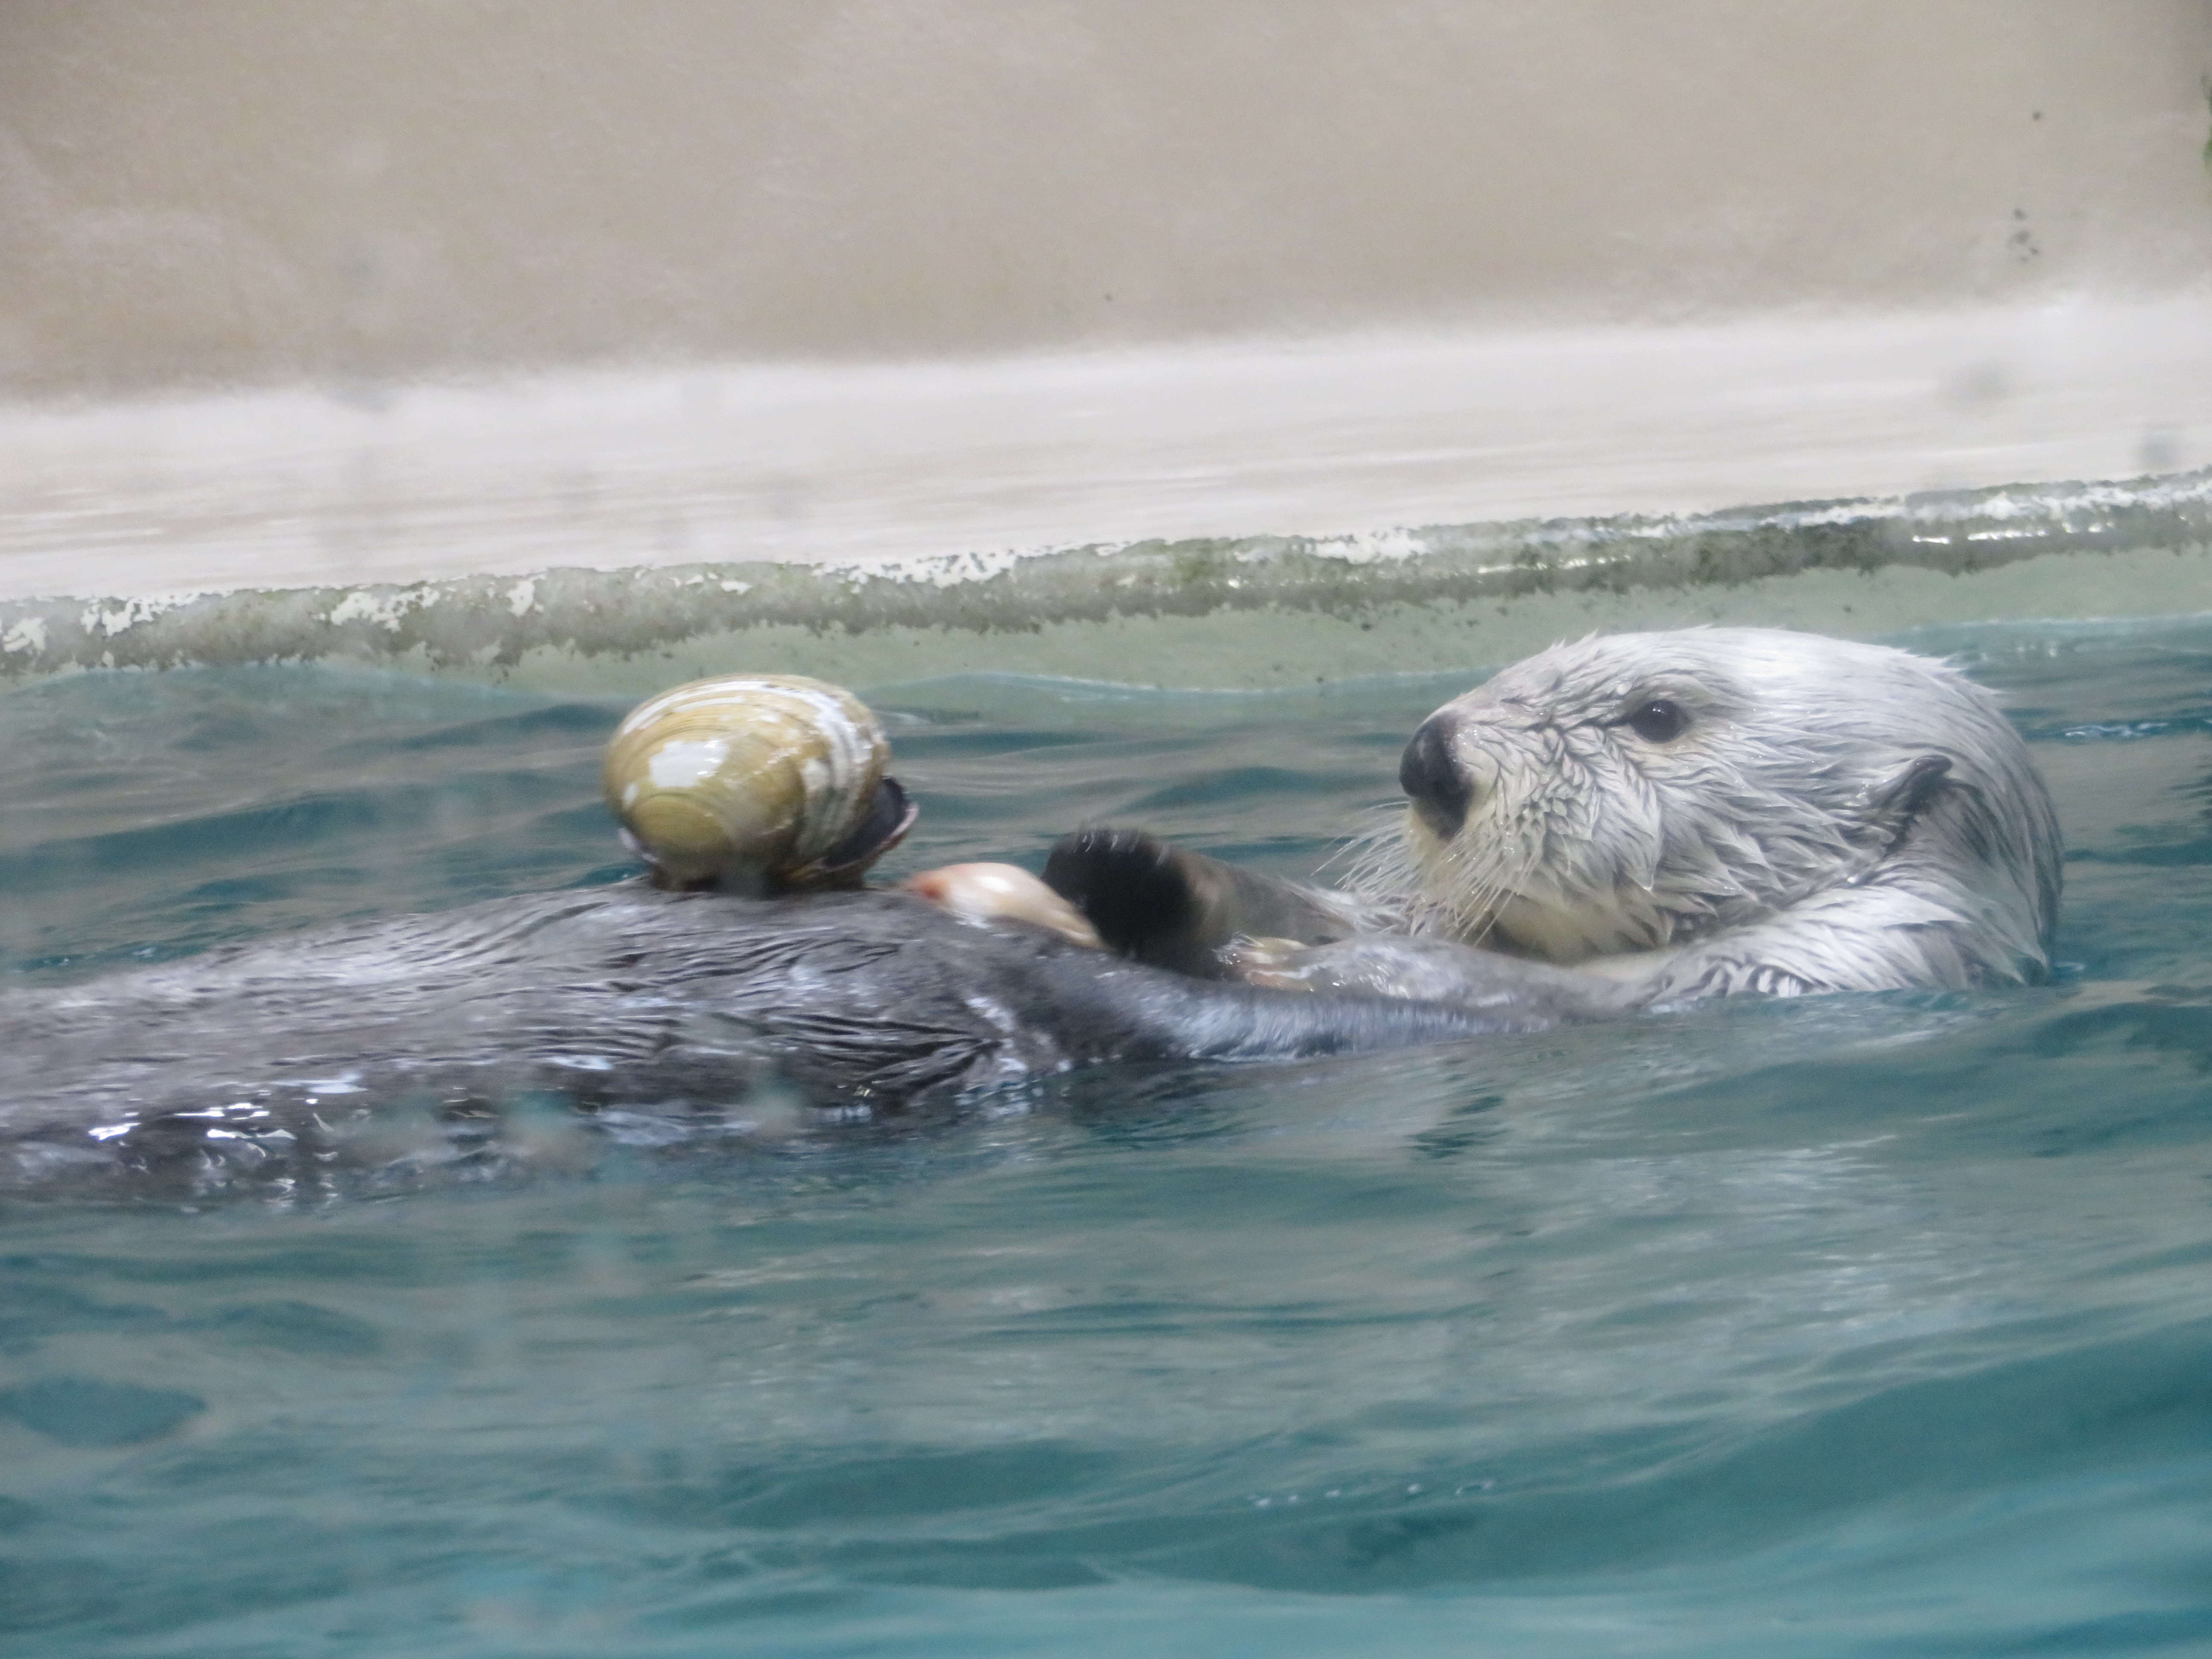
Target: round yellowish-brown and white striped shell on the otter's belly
[(755, 784)]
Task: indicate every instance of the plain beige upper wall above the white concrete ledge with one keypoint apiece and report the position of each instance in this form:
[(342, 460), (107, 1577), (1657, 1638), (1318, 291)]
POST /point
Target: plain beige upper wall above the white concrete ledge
[(269, 189)]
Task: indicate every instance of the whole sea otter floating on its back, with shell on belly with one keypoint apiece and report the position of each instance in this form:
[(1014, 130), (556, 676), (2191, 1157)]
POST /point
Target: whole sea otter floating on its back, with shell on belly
[(1605, 828)]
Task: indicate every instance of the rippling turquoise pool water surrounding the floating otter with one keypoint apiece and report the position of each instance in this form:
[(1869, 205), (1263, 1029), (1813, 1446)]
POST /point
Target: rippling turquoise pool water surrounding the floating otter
[(1830, 1328)]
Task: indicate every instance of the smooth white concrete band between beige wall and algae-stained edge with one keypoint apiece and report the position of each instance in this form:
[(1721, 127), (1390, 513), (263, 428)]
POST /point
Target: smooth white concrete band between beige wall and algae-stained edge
[(954, 470)]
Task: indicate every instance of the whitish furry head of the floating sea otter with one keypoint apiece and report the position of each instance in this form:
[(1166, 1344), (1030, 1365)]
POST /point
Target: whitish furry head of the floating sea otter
[(1647, 791)]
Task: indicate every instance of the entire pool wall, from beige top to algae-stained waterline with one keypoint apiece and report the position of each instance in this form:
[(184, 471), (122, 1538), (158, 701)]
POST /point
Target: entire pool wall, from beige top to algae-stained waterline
[(1189, 346)]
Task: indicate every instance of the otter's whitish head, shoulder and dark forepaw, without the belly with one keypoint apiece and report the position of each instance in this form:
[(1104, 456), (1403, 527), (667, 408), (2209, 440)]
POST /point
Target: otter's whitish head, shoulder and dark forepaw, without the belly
[(1642, 822)]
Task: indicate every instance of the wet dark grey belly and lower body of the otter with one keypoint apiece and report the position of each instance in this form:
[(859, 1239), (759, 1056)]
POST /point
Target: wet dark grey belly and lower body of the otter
[(625, 994)]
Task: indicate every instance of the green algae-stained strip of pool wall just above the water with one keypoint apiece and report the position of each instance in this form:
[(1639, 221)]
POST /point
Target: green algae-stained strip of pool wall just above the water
[(1209, 614)]
